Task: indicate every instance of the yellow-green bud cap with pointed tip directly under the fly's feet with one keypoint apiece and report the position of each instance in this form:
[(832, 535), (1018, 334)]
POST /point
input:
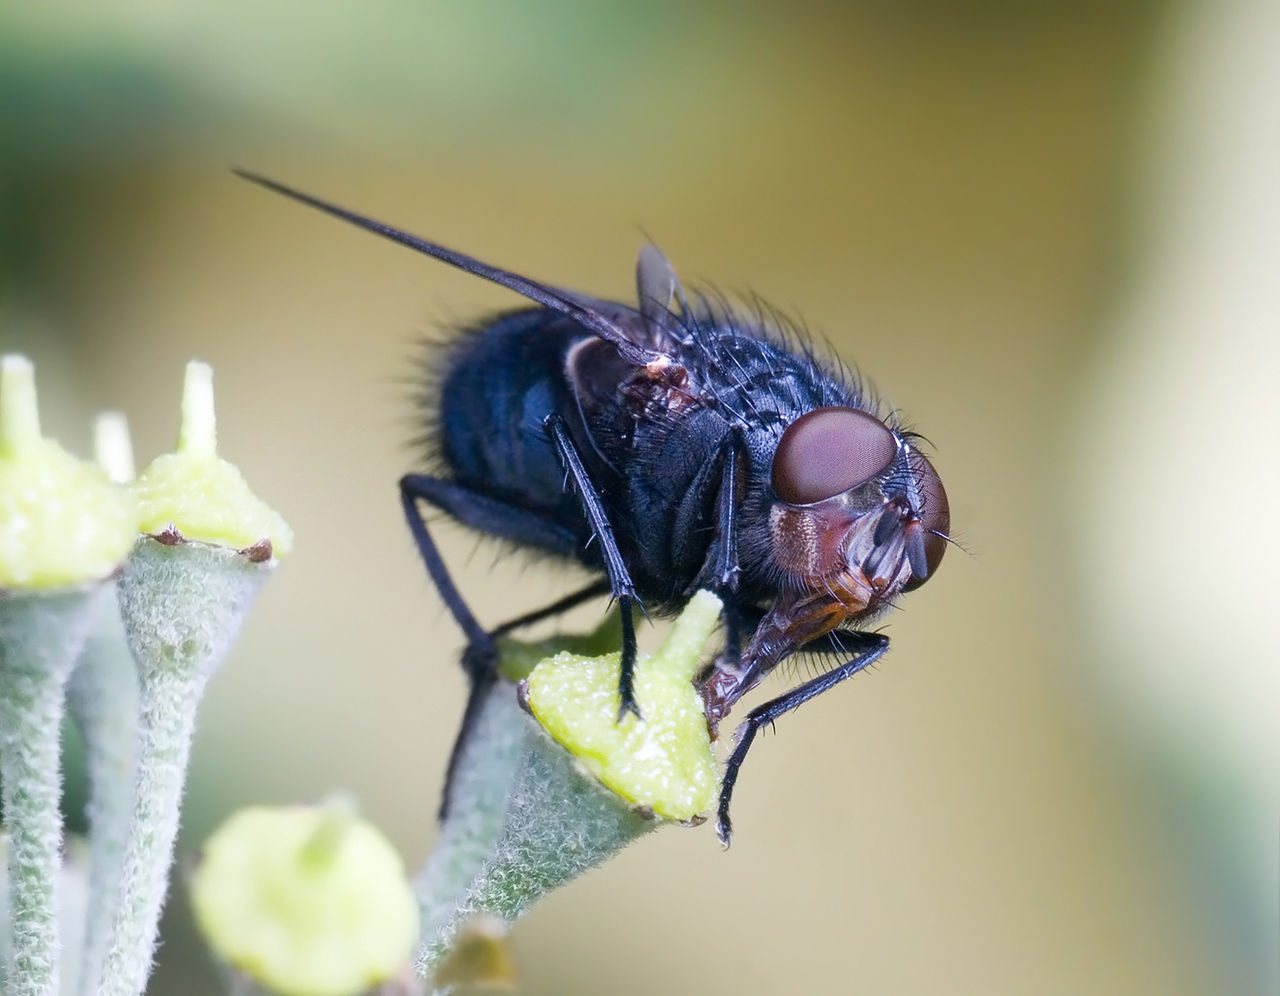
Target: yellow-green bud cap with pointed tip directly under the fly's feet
[(664, 762)]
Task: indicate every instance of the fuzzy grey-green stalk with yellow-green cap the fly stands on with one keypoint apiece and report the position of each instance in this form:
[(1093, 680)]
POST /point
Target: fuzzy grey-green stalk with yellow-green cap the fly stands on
[(528, 815)]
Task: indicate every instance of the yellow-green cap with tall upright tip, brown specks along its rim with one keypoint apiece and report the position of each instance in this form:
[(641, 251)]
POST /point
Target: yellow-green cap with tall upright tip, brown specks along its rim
[(202, 496)]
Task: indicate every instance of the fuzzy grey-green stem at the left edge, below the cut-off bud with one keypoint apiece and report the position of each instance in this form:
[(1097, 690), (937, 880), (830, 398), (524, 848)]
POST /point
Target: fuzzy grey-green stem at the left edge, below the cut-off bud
[(40, 638)]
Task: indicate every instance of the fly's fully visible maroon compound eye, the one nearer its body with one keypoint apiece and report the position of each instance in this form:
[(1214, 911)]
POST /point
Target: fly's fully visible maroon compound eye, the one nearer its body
[(830, 451)]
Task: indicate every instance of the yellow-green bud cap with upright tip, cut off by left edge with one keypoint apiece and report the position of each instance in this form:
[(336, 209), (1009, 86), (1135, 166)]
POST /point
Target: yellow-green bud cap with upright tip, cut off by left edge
[(62, 522)]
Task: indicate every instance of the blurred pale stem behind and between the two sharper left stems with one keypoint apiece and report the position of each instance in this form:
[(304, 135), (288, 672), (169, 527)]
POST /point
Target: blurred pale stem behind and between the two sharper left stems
[(103, 700)]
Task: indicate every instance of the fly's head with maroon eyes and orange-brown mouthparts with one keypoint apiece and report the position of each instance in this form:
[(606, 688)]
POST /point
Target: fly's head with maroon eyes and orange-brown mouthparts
[(860, 517)]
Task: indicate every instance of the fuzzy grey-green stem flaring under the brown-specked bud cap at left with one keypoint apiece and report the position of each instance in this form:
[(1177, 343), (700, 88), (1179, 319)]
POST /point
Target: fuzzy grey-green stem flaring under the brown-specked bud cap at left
[(182, 609)]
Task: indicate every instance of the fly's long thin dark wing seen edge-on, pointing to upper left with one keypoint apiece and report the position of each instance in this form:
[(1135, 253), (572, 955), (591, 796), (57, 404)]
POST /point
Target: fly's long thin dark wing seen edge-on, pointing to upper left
[(538, 293)]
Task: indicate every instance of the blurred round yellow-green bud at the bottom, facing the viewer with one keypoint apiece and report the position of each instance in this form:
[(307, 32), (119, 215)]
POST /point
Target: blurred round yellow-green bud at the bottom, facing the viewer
[(305, 901)]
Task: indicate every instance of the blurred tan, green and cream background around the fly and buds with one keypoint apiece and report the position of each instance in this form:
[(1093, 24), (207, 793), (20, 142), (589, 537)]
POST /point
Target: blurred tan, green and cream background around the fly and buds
[(1049, 232)]
